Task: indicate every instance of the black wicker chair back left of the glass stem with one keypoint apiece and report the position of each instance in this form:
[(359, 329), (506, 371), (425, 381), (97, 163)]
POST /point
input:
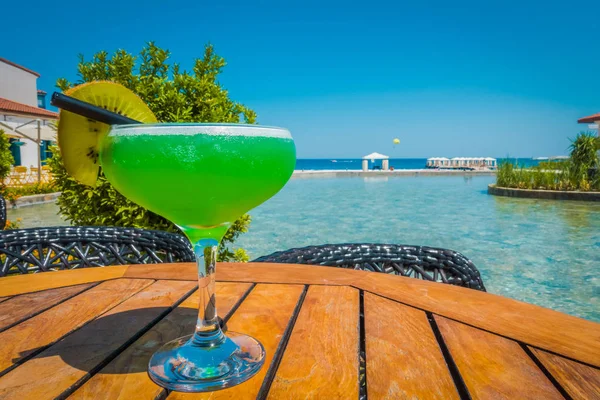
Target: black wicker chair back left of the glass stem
[(24, 251)]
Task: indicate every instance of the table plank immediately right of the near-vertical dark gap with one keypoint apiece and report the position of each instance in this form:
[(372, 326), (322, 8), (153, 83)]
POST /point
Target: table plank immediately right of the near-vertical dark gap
[(404, 360)]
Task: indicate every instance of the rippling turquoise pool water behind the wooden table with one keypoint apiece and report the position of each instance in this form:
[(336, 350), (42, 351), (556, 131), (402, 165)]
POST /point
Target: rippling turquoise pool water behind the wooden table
[(539, 251)]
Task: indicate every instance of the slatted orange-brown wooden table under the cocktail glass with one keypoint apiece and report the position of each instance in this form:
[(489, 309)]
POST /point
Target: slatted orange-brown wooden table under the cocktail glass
[(89, 334)]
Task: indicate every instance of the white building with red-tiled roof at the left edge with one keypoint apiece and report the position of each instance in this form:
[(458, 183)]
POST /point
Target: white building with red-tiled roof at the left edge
[(23, 116)]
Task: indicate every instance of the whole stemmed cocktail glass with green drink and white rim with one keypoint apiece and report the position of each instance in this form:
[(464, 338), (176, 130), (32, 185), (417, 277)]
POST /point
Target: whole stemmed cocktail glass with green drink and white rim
[(202, 177)]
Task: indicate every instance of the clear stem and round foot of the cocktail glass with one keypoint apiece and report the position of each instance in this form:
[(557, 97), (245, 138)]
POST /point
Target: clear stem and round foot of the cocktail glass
[(208, 359)]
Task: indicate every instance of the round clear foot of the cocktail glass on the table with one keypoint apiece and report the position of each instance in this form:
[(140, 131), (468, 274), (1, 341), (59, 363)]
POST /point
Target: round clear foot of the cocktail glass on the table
[(190, 365)]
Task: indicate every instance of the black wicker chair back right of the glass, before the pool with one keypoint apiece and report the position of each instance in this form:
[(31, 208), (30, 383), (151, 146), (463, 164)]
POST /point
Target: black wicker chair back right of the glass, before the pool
[(428, 263)]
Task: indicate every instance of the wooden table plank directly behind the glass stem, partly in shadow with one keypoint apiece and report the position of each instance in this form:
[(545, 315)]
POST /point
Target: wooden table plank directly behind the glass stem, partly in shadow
[(125, 377)]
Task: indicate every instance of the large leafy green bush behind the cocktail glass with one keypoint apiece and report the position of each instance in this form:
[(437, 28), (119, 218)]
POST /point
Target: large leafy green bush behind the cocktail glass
[(174, 95)]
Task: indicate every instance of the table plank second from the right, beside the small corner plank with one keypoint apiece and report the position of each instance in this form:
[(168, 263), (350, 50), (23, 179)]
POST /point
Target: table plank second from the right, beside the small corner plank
[(494, 367)]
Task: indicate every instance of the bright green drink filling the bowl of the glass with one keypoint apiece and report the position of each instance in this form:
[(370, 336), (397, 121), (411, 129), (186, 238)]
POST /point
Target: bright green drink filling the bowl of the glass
[(197, 180)]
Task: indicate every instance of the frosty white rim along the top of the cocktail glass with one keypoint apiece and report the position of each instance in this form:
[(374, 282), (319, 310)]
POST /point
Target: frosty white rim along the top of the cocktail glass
[(197, 129)]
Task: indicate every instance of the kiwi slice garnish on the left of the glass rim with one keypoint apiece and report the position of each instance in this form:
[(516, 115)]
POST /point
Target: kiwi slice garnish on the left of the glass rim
[(79, 137)]
